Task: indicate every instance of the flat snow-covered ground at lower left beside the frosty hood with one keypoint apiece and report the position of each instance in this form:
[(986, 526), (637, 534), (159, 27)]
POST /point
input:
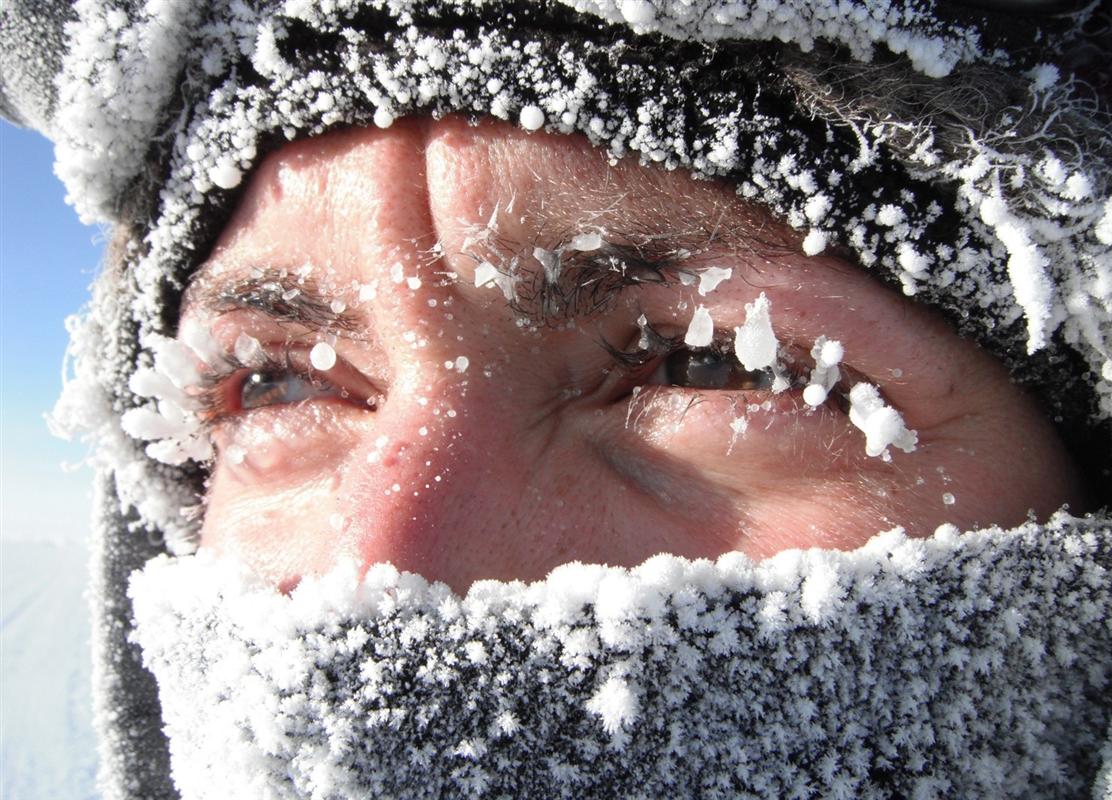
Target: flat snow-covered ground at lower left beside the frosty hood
[(46, 735)]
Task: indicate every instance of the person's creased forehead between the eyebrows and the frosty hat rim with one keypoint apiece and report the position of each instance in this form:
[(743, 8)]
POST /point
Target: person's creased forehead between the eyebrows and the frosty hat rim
[(369, 196)]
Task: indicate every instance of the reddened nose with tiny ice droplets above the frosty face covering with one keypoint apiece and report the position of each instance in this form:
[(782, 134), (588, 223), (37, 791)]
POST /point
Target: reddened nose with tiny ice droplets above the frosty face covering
[(449, 489)]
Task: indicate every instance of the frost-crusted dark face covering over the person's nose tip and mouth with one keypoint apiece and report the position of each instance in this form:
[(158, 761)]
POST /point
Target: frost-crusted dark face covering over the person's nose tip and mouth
[(959, 666)]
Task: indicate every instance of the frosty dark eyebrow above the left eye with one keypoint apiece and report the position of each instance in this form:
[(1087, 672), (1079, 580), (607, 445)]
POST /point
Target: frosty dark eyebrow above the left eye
[(281, 295)]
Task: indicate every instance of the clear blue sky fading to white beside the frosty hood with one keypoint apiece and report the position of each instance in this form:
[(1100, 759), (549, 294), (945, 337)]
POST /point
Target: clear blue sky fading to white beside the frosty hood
[(47, 262)]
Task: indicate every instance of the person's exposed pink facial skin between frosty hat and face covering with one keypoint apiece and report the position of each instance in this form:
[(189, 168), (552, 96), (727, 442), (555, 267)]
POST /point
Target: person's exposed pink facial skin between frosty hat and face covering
[(538, 455)]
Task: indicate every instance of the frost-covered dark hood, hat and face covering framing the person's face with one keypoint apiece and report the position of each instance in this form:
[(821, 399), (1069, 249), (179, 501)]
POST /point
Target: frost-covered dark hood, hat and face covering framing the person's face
[(949, 147)]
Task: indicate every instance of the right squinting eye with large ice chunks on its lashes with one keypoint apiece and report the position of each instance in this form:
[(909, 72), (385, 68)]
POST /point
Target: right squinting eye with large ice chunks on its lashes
[(693, 397)]
